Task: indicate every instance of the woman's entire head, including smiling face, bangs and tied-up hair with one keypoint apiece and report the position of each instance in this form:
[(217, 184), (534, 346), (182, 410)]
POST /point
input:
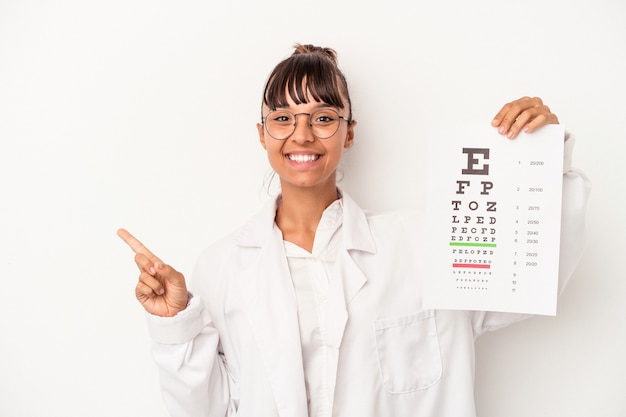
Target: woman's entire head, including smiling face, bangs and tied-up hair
[(307, 81)]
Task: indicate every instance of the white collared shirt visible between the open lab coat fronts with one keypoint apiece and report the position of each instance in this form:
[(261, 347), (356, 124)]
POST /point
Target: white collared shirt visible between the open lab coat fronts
[(311, 273)]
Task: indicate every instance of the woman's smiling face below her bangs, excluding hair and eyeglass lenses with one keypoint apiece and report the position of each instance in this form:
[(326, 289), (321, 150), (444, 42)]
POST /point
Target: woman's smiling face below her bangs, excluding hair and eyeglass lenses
[(302, 160)]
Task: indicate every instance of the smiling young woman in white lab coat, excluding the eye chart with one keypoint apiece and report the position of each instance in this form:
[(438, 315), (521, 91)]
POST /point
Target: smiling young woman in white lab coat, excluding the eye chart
[(314, 307)]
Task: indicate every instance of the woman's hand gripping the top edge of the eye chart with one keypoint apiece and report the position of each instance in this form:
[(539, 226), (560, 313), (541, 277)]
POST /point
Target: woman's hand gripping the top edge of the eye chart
[(527, 114)]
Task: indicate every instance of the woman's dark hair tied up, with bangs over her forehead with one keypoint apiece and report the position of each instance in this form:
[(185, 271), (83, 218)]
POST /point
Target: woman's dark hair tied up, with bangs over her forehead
[(310, 69)]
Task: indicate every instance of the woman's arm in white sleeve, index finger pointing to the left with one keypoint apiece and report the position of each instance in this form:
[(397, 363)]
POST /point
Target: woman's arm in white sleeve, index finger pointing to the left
[(194, 377)]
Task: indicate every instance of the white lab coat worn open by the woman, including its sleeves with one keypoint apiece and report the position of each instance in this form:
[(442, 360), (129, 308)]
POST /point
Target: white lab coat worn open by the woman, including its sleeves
[(236, 349)]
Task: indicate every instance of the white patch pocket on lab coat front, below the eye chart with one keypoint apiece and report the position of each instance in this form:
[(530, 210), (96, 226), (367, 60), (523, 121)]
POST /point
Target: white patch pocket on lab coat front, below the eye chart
[(408, 352)]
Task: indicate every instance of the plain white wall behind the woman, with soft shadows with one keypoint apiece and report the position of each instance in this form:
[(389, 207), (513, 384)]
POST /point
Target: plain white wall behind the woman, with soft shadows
[(142, 114)]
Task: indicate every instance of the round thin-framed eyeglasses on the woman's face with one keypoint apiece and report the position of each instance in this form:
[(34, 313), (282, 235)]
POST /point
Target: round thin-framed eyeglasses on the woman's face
[(280, 124)]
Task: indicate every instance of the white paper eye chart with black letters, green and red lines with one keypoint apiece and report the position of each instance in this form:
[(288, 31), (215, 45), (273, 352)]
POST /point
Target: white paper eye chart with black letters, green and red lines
[(494, 210)]
